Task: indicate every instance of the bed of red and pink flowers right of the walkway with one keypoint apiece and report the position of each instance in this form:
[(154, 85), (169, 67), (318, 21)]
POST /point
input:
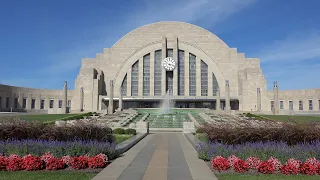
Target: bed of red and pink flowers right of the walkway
[(310, 166)]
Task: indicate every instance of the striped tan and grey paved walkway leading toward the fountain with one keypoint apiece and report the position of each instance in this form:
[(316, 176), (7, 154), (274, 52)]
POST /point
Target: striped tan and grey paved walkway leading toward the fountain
[(159, 156)]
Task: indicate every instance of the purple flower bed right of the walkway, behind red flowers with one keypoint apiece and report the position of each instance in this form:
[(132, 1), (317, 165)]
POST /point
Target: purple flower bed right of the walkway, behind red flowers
[(261, 150)]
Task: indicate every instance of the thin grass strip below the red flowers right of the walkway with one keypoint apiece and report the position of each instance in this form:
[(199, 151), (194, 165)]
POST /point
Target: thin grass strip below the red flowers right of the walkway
[(265, 177)]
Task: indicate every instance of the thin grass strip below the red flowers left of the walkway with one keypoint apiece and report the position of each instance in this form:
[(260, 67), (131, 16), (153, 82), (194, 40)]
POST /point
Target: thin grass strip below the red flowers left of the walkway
[(58, 175)]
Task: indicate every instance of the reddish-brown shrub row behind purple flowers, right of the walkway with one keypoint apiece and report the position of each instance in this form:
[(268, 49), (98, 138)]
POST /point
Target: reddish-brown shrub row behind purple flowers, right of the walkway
[(290, 133)]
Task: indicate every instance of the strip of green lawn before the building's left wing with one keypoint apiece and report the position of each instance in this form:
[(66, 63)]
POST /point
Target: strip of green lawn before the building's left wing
[(44, 117)]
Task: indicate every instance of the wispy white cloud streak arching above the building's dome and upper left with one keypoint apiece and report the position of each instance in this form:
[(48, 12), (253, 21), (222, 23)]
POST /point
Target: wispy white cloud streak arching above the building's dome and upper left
[(212, 11)]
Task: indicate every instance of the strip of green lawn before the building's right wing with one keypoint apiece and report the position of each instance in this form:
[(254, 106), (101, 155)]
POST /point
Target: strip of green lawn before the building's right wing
[(298, 119)]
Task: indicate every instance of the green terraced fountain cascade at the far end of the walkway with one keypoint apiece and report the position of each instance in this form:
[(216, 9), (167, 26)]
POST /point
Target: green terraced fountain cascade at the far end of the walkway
[(173, 120)]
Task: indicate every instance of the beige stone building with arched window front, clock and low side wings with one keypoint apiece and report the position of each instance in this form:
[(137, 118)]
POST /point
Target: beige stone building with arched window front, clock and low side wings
[(190, 63)]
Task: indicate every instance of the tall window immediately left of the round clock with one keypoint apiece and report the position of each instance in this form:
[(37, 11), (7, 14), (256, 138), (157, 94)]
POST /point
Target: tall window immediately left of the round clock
[(157, 73)]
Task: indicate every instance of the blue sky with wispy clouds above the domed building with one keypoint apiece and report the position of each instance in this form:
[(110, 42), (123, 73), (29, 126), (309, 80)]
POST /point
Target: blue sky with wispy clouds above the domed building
[(42, 42)]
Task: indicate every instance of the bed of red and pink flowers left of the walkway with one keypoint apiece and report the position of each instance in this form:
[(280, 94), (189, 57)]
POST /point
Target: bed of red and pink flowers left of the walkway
[(51, 163)]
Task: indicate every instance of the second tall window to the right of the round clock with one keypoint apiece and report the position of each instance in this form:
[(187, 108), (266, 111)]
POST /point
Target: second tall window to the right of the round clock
[(192, 75)]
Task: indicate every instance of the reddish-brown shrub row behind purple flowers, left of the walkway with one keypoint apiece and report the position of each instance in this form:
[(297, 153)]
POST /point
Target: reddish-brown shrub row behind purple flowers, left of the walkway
[(19, 130)]
